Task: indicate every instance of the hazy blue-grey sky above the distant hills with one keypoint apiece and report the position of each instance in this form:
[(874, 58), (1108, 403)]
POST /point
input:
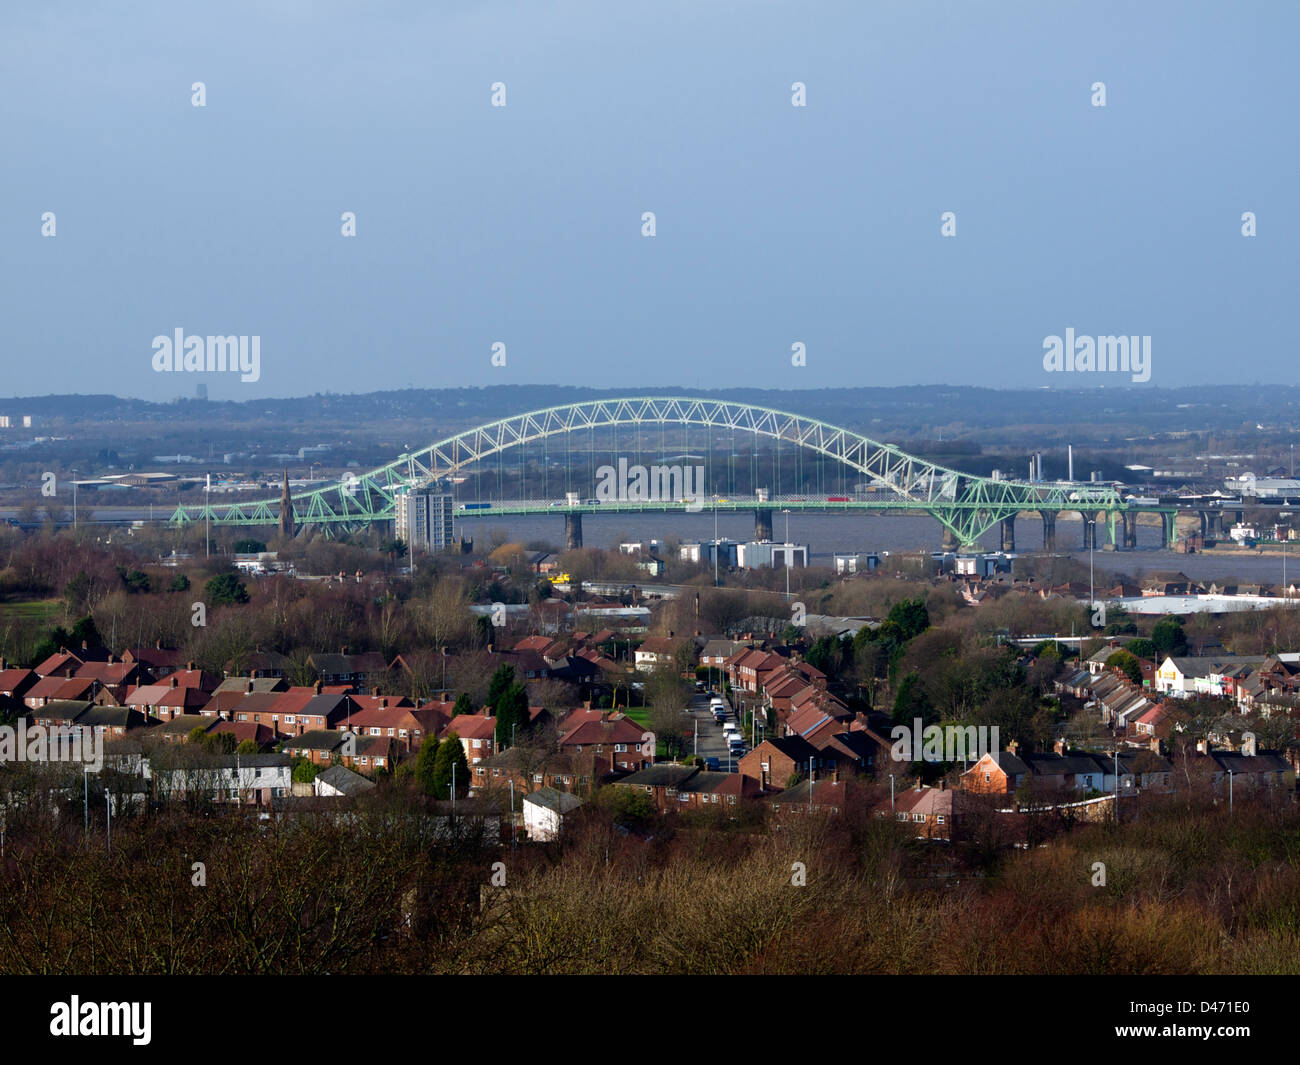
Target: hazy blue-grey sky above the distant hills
[(523, 226)]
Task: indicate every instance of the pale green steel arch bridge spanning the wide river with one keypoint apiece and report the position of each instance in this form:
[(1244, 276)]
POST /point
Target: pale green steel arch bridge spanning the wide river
[(967, 506)]
